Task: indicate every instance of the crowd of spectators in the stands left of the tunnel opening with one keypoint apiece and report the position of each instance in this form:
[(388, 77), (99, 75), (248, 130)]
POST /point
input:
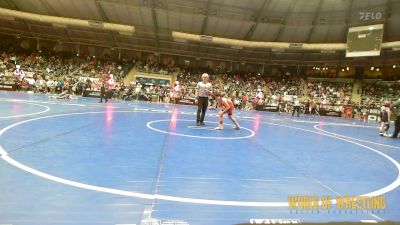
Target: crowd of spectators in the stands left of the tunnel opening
[(54, 73)]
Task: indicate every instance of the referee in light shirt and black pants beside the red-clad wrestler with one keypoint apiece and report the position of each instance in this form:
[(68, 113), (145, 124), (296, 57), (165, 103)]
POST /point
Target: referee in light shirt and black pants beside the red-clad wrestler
[(203, 90)]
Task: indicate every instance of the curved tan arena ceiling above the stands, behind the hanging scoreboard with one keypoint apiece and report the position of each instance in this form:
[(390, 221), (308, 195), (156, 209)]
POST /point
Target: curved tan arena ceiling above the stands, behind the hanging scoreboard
[(295, 21)]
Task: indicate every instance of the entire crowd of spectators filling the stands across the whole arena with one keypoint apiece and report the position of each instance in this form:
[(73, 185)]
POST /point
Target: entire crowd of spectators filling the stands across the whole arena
[(56, 73)]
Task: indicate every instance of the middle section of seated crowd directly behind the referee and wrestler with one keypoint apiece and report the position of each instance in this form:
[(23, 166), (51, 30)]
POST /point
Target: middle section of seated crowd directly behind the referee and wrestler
[(247, 90)]
